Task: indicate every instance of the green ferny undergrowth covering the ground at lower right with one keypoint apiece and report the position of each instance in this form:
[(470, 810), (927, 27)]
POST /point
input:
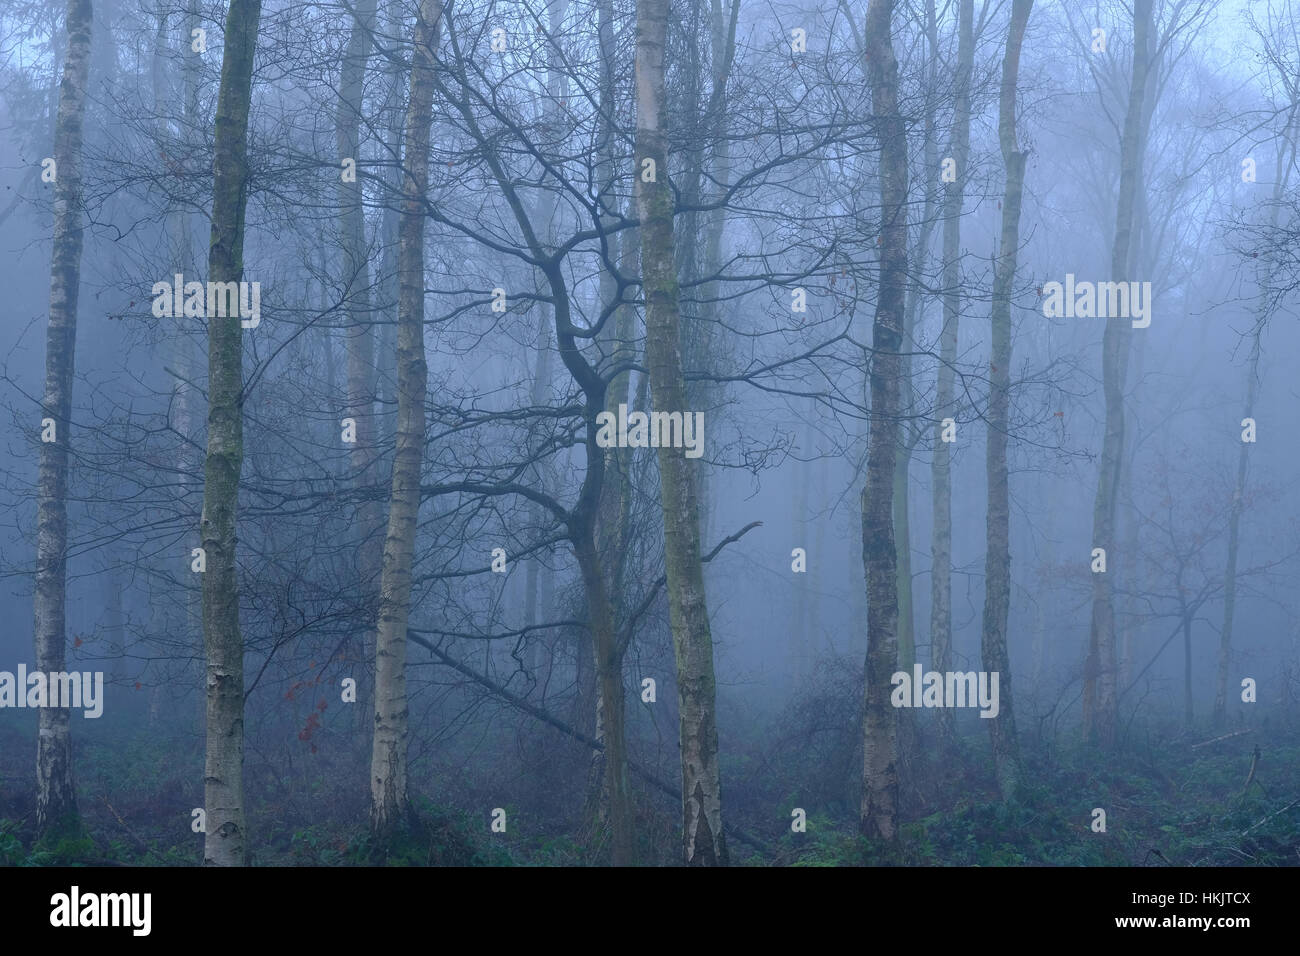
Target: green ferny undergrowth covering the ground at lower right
[(1185, 807)]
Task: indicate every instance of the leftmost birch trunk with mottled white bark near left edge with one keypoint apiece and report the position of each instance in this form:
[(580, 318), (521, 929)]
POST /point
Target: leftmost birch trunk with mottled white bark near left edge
[(57, 795)]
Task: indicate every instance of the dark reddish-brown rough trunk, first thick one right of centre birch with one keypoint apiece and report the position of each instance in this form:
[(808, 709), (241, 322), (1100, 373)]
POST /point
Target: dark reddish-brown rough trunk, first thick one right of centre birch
[(881, 723)]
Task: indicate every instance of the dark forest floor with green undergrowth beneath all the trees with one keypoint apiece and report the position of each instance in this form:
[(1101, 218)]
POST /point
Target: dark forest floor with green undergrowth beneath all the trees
[(1189, 799)]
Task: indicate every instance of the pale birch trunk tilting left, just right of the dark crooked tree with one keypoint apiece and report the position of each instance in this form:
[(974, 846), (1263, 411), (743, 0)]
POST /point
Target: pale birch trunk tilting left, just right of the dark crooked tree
[(705, 845)]
